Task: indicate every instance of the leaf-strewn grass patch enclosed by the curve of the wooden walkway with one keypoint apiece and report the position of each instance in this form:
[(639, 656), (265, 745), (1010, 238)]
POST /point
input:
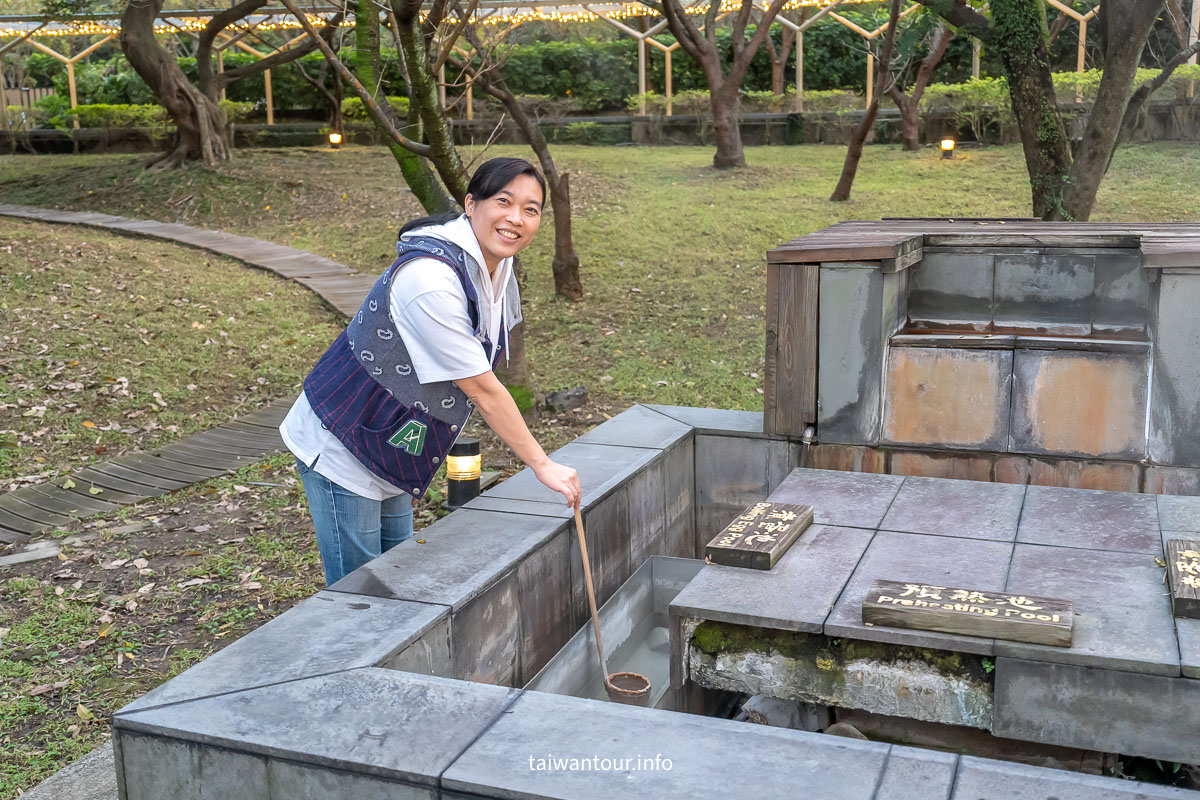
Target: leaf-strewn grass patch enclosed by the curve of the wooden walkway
[(113, 344)]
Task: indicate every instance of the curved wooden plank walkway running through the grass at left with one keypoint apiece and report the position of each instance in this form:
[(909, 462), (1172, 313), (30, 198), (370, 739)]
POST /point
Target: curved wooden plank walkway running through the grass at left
[(244, 441)]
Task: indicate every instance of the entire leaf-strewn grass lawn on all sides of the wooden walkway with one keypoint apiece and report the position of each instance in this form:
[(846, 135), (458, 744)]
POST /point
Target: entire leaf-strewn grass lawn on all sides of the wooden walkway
[(674, 274)]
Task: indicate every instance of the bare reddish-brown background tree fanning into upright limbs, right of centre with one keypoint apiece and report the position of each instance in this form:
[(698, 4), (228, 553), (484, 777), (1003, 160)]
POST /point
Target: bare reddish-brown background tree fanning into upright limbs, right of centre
[(723, 87)]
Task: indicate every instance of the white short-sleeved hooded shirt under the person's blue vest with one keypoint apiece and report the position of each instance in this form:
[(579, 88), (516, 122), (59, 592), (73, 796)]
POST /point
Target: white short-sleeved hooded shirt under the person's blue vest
[(429, 309)]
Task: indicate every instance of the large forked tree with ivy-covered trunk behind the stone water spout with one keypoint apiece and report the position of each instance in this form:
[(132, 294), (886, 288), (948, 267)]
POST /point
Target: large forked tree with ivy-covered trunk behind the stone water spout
[(1064, 184)]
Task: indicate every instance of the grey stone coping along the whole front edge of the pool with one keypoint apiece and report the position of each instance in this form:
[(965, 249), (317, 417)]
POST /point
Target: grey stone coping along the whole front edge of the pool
[(487, 753)]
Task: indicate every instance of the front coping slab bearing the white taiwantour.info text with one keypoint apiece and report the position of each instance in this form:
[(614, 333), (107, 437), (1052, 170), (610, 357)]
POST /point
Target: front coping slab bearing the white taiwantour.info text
[(506, 761)]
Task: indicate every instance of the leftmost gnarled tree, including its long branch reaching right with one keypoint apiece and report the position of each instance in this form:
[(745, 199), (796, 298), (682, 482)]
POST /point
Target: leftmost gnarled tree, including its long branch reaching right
[(201, 131)]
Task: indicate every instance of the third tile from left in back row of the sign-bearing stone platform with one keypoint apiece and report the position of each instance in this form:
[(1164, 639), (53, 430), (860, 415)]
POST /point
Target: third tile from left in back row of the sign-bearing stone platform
[(1090, 519)]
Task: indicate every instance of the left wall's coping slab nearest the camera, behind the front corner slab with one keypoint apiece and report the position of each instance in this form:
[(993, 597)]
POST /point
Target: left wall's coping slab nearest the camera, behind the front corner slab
[(328, 633)]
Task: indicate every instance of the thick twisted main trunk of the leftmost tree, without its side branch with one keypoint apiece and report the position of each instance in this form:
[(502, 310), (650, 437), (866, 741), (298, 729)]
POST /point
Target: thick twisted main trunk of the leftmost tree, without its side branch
[(200, 124)]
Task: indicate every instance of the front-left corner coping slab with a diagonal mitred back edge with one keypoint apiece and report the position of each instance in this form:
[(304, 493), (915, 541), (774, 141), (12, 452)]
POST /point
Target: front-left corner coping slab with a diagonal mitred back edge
[(389, 724)]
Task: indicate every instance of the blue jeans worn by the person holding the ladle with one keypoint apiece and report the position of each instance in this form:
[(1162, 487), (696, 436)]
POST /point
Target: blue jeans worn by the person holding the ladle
[(352, 530)]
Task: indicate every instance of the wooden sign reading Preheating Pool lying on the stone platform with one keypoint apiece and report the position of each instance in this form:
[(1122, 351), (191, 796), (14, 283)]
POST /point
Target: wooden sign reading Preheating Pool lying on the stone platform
[(993, 615)]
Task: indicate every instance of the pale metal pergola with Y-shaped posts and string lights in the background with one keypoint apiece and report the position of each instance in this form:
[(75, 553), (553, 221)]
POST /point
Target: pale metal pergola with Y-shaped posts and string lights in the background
[(247, 35)]
